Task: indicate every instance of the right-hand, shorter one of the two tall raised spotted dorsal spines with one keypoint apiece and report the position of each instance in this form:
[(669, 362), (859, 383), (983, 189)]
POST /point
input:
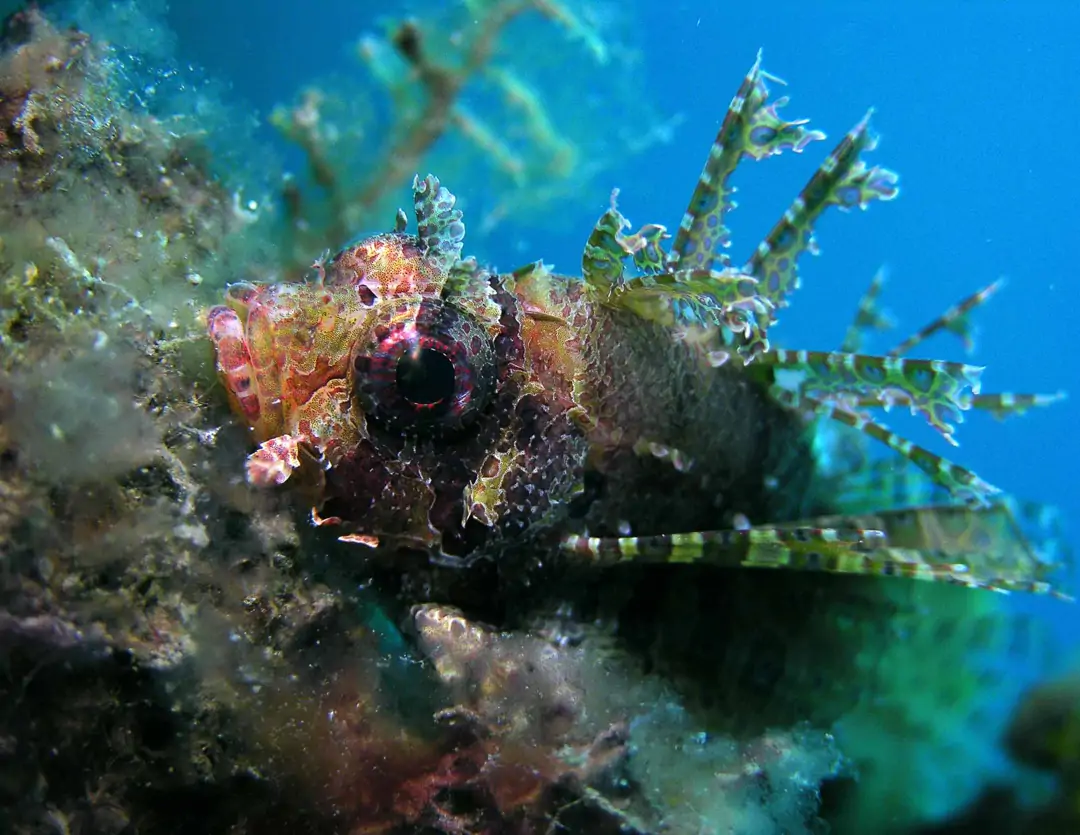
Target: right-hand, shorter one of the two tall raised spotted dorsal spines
[(844, 181)]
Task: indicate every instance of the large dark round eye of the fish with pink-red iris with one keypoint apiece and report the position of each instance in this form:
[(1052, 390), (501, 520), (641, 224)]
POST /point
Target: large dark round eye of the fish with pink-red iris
[(430, 367)]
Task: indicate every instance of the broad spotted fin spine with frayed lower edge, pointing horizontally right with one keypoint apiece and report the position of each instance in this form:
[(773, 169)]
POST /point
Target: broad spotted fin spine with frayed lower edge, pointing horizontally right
[(939, 390)]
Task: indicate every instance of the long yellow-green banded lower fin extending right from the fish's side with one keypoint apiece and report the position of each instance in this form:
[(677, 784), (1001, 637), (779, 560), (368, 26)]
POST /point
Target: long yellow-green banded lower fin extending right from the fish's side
[(853, 551)]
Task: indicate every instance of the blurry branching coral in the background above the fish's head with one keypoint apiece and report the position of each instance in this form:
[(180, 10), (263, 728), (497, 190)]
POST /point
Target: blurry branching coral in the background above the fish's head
[(460, 89)]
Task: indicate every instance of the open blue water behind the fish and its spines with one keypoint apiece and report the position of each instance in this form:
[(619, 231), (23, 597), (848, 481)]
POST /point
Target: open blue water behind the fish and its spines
[(977, 104)]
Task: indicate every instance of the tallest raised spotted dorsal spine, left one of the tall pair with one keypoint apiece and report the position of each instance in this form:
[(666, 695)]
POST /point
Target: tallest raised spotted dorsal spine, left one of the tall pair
[(751, 129)]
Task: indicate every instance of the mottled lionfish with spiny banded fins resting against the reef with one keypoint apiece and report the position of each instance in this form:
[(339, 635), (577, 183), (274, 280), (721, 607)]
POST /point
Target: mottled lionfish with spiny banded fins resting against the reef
[(637, 413)]
